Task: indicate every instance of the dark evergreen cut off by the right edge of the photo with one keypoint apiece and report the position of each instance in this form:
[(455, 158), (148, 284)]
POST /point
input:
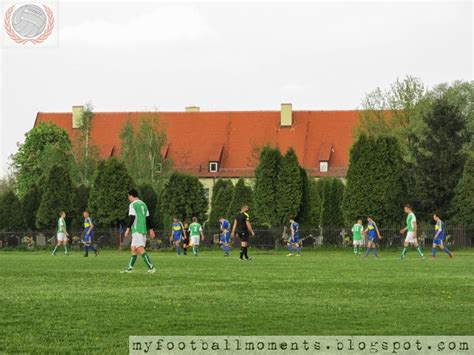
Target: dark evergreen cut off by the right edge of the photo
[(462, 207)]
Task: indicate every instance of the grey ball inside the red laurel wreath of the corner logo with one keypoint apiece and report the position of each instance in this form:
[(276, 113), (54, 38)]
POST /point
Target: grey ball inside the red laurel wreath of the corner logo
[(29, 21)]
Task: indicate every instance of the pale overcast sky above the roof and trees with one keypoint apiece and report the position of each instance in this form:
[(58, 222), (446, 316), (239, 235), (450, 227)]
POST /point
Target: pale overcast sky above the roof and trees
[(233, 56)]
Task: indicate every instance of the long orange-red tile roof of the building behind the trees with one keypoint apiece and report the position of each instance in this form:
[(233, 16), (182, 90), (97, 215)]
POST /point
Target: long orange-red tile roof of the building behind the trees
[(232, 137)]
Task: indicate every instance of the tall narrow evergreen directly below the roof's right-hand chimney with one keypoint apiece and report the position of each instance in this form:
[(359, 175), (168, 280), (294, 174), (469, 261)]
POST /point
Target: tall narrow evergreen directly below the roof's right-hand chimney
[(288, 188)]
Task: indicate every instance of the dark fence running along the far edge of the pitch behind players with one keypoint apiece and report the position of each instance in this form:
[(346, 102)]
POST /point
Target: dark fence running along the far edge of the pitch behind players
[(459, 237)]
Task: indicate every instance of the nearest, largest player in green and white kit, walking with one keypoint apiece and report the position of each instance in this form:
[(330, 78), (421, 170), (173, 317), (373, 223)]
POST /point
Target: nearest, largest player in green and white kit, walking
[(139, 223)]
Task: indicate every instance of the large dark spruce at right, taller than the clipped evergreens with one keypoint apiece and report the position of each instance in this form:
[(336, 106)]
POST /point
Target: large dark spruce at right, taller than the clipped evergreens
[(438, 154)]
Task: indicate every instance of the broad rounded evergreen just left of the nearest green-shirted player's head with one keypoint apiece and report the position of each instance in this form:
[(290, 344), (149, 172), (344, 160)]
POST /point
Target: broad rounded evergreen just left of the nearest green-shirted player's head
[(108, 200)]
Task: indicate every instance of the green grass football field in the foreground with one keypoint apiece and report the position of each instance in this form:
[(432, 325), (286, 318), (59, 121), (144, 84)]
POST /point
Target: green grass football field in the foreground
[(73, 304)]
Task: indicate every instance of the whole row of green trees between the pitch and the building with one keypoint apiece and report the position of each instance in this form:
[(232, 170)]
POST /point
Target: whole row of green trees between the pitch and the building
[(412, 145)]
